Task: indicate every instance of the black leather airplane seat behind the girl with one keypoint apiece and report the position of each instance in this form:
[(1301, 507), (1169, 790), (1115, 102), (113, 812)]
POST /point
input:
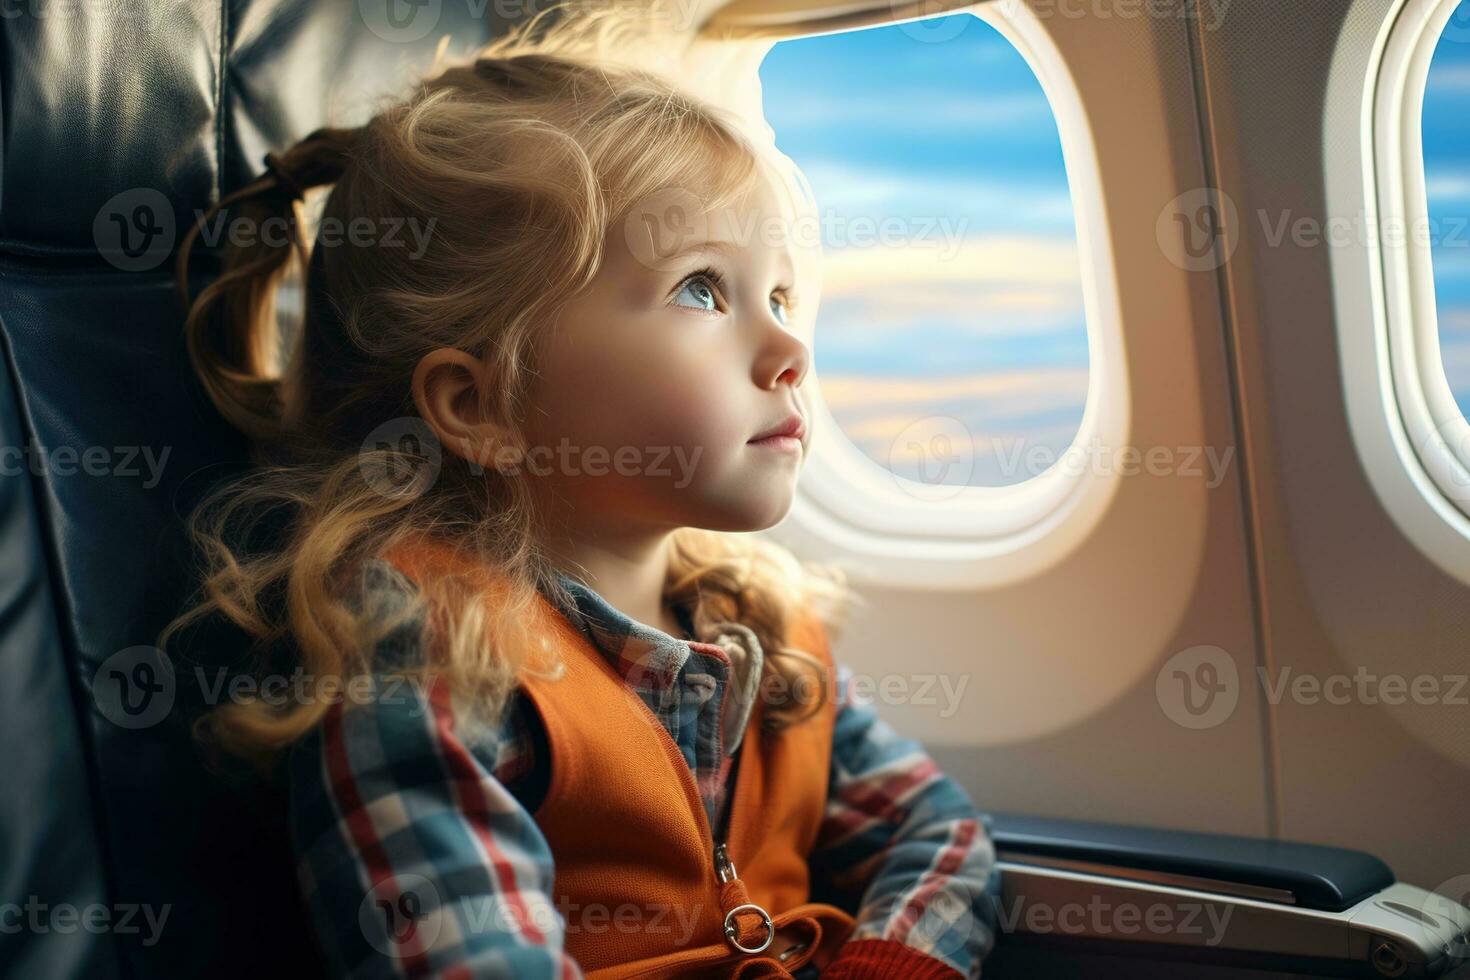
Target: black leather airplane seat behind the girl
[(121, 123)]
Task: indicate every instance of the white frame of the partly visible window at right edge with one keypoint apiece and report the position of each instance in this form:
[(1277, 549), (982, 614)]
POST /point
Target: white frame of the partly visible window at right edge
[(1412, 440)]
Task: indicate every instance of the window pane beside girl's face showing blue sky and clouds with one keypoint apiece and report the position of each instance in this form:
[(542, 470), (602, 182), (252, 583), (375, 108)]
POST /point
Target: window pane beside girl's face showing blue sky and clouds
[(952, 302)]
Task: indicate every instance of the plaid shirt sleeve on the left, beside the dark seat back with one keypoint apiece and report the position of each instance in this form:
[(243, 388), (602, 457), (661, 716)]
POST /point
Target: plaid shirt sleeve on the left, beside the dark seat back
[(414, 857)]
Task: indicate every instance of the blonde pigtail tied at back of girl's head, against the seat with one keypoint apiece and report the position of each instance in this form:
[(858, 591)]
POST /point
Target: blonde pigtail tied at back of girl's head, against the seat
[(232, 330)]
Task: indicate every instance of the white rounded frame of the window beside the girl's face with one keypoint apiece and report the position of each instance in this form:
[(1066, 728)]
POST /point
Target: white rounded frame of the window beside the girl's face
[(989, 536)]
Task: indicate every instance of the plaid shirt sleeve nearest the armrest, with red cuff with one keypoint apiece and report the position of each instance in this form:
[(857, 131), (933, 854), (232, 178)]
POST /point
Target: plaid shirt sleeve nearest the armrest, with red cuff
[(902, 847)]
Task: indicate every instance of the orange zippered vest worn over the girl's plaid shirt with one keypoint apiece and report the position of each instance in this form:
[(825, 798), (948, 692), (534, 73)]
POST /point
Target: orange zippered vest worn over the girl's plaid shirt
[(636, 873)]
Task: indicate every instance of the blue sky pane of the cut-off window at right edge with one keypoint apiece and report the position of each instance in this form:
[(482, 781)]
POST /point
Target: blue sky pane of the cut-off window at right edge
[(1447, 181)]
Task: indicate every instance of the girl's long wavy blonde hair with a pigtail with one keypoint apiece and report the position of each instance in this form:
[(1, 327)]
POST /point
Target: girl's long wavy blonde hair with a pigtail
[(521, 161)]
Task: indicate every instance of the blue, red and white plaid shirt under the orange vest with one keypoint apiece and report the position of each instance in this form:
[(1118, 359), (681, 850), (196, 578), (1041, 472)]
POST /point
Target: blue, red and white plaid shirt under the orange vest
[(418, 854)]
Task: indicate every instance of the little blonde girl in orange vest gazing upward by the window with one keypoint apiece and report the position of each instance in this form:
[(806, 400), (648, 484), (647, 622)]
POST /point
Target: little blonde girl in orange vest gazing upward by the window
[(561, 716)]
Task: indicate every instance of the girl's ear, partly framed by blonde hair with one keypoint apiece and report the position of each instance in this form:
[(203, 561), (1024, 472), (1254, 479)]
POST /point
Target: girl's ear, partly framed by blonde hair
[(446, 392)]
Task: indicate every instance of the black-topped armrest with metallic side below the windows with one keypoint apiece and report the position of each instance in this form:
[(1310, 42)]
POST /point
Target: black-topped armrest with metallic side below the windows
[(1213, 898)]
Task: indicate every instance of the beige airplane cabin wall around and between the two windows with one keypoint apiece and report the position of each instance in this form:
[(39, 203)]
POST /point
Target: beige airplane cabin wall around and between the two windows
[(1290, 565)]
